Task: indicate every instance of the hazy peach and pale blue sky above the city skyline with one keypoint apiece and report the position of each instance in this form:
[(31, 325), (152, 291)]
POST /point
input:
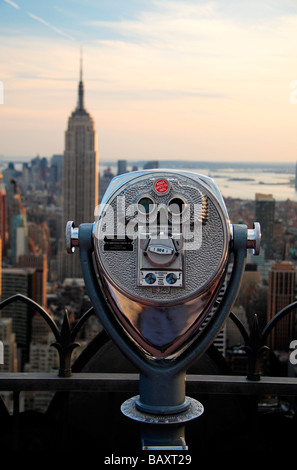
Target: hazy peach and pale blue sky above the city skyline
[(163, 79)]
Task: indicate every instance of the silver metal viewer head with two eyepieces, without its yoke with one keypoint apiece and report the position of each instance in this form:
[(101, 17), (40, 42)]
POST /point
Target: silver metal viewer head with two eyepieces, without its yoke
[(162, 244)]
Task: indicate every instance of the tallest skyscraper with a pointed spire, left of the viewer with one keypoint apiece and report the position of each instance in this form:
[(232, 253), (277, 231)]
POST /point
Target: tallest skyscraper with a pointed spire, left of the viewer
[(80, 177)]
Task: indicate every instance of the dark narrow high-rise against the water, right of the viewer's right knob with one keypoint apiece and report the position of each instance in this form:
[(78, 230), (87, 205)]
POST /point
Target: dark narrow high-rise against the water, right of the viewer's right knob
[(264, 213)]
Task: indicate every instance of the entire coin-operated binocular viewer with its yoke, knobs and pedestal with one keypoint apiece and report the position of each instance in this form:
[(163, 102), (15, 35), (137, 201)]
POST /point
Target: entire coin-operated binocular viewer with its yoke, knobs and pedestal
[(154, 263)]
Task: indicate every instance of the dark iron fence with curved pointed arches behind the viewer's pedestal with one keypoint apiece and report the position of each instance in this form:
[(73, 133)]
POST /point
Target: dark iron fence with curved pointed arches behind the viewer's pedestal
[(85, 409)]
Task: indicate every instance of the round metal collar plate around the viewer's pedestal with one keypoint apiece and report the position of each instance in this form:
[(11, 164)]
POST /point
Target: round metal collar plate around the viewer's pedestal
[(130, 410)]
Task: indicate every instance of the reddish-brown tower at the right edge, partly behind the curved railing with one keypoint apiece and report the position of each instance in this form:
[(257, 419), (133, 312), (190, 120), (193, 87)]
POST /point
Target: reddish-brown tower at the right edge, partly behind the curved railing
[(281, 292)]
